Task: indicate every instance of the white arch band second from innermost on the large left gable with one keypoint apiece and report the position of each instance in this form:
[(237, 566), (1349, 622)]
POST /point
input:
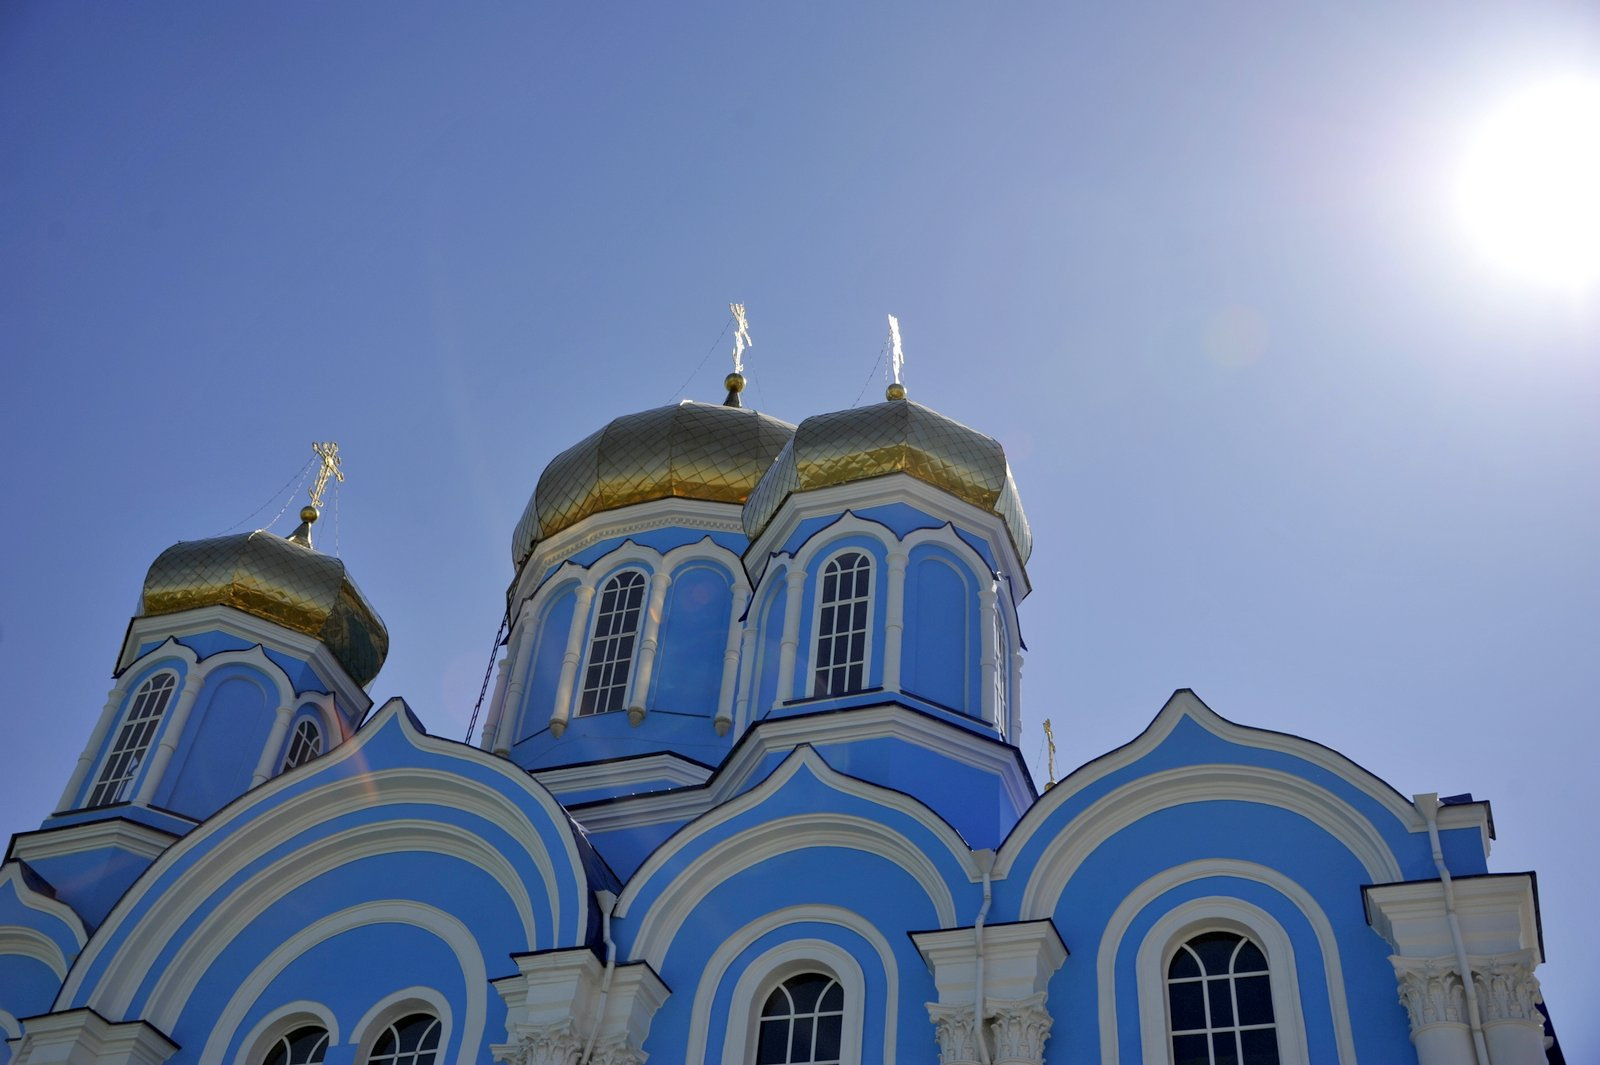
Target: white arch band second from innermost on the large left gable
[(233, 915)]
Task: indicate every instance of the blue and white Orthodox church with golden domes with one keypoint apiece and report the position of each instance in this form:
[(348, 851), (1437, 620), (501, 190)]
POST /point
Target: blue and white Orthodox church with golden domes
[(748, 794)]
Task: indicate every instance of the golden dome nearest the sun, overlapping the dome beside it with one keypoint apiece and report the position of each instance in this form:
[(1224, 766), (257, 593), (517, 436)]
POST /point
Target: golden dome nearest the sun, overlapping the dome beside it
[(894, 437)]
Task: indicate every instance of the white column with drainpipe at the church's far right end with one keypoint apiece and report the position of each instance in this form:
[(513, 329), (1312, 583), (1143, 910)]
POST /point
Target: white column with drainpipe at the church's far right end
[(1497, 922)]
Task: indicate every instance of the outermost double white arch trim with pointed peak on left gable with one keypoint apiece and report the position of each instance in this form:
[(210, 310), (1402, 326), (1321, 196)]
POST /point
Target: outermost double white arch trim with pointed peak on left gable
[(316, 807)]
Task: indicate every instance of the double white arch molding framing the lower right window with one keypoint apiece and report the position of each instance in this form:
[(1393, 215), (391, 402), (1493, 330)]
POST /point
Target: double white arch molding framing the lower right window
[(1154, 951)]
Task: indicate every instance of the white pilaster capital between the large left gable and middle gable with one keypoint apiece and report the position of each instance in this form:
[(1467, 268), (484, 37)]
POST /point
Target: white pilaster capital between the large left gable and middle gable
[(554, 1007)]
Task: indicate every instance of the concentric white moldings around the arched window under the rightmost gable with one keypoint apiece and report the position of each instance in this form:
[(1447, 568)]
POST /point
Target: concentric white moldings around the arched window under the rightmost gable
[(1167, 880)]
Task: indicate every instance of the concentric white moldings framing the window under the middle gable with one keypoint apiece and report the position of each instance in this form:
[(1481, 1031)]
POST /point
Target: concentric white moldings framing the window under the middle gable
[(718, 968)]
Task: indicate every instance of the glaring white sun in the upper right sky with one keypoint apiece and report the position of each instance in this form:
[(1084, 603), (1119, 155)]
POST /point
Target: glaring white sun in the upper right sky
[(1530, 185)]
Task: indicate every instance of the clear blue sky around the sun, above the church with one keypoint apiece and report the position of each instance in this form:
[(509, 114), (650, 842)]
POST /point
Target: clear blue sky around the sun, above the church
[(1282, 437)]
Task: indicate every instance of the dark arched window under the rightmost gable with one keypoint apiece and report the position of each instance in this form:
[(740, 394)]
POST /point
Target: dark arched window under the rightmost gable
[(1220, 1003)]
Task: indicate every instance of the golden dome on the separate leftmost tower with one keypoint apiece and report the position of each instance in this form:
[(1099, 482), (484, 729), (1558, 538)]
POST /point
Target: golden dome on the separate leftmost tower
[(279, 581)]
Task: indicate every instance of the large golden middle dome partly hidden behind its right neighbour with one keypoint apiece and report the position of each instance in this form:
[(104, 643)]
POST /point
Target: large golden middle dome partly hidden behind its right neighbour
[(686, 452)]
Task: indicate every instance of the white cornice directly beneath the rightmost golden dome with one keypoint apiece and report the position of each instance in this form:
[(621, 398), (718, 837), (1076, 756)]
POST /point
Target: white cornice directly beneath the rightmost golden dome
[(820, 503)]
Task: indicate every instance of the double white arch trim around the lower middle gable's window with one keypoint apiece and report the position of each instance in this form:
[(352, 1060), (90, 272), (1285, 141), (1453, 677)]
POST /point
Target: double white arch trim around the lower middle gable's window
[(780, 963)]
